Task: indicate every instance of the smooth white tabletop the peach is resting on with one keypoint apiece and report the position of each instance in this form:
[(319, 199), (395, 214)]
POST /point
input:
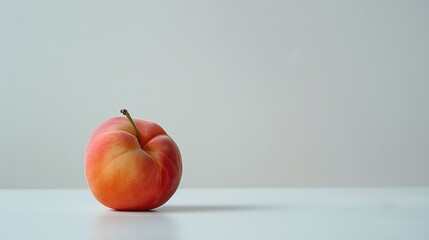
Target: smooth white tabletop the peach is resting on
[(285, 214)]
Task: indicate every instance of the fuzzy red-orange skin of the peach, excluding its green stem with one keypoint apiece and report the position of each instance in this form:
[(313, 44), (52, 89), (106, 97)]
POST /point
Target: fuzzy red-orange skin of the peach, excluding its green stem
[(126, 173)]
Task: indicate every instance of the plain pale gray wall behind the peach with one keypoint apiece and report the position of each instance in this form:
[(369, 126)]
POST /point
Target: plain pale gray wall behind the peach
[(255, 93)]
